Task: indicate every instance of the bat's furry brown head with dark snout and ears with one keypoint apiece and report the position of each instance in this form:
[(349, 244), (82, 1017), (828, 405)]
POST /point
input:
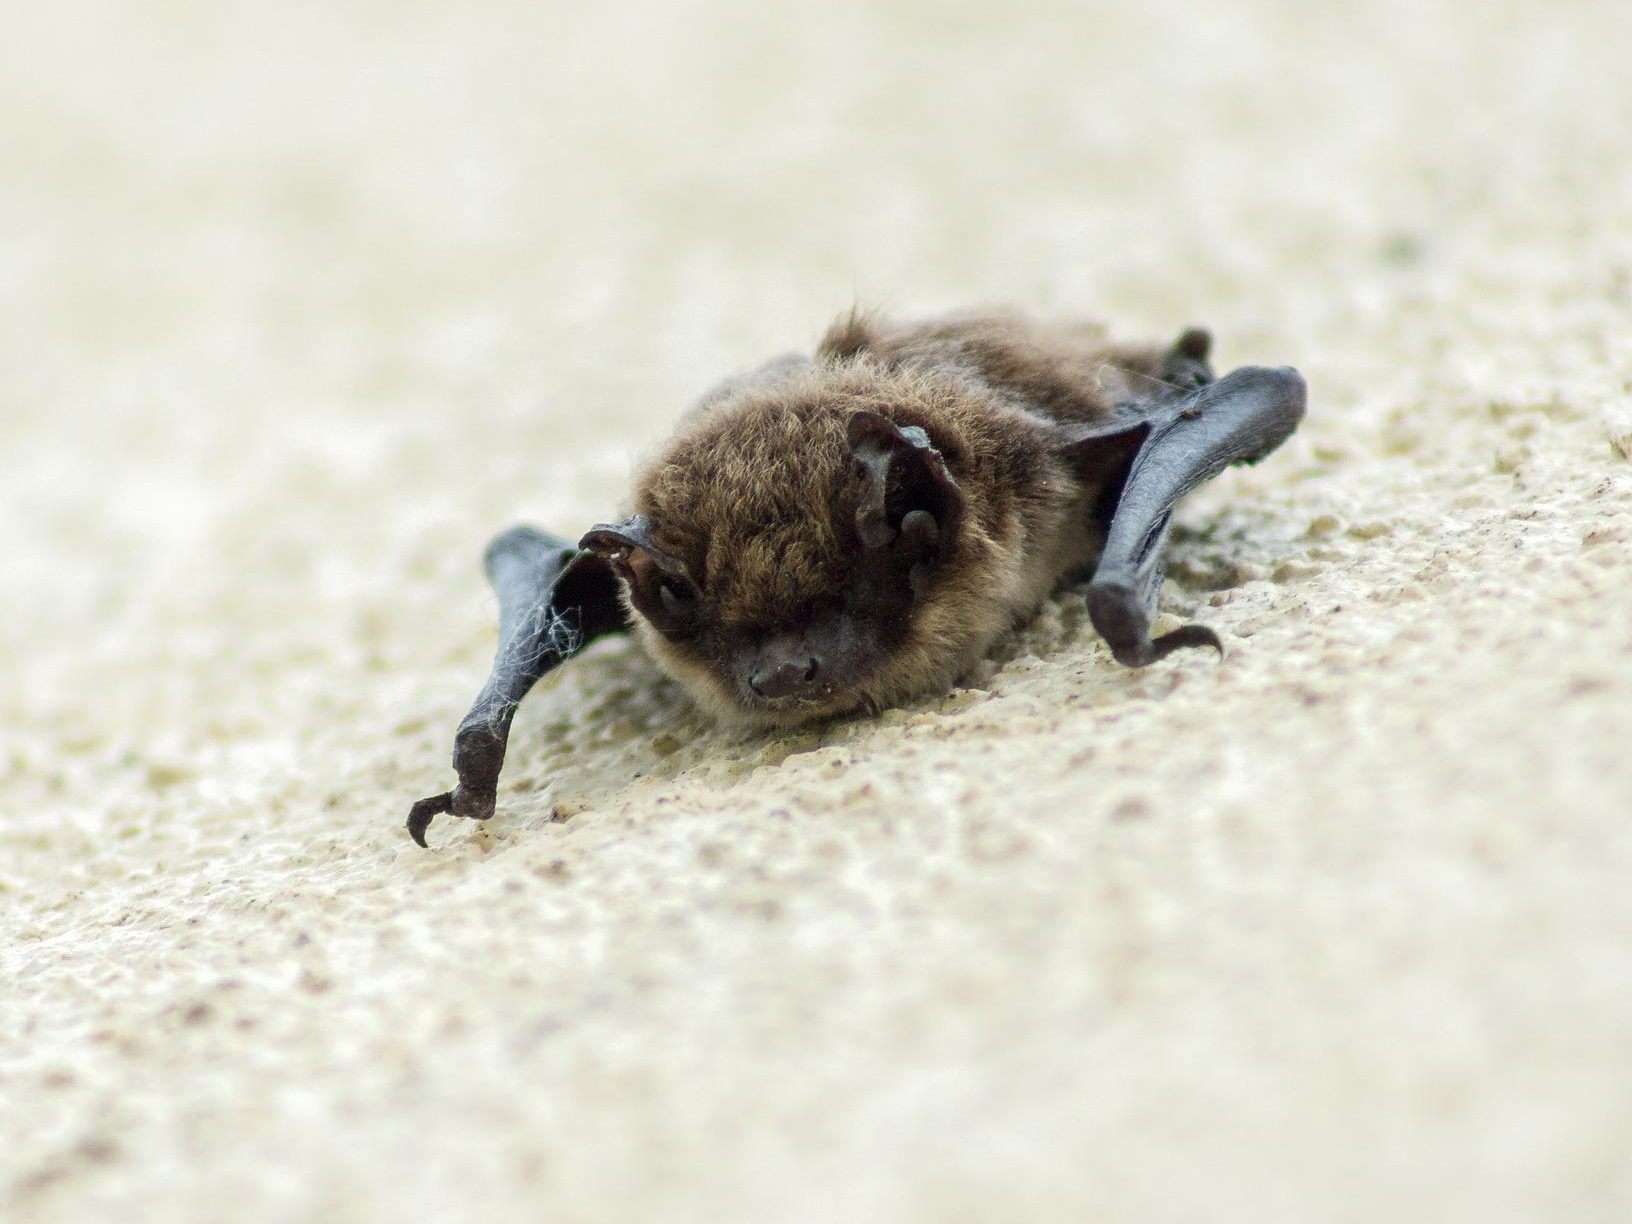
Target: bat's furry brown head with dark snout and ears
[(805, 556)]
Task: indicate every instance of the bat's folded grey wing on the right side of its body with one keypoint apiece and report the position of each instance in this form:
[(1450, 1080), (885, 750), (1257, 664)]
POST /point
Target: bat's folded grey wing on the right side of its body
[(1151, 455)]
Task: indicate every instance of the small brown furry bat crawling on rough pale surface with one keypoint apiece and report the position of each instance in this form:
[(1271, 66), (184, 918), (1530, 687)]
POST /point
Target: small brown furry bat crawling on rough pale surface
[(854, 530)]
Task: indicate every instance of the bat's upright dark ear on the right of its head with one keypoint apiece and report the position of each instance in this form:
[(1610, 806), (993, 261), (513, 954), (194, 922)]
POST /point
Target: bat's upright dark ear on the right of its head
[(910, 500)]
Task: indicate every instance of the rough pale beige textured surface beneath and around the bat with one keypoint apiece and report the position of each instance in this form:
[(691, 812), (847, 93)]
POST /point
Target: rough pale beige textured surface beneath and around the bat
[(299, 303)]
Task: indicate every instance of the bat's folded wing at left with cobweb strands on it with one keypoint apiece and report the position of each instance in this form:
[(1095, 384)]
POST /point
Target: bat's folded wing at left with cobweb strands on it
[(554, 600)]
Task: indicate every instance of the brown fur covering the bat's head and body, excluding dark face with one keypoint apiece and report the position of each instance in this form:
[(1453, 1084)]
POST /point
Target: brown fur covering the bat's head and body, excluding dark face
[(756, 494)]
